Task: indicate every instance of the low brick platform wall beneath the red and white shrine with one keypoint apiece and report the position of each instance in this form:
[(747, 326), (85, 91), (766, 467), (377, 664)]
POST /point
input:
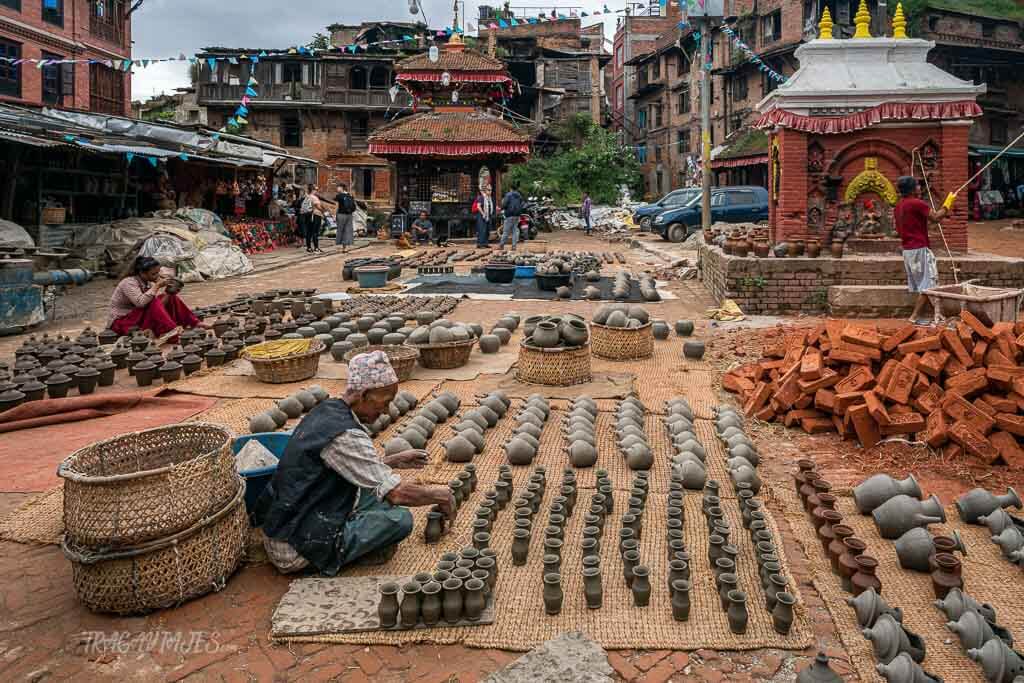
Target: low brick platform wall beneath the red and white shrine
[(777, 286)]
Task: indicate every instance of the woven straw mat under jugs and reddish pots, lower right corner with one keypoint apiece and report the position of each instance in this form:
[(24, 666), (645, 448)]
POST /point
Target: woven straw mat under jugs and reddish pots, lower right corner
[(988, 578)]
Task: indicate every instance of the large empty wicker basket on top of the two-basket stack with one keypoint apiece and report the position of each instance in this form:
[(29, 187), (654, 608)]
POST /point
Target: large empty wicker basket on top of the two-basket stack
[(148, 485)]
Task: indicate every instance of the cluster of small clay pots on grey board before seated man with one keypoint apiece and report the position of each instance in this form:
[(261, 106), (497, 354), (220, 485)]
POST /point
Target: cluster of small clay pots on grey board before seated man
[(458, 591)]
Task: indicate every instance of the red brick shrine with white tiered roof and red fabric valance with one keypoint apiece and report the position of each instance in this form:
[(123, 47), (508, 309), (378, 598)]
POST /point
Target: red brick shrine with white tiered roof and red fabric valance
[(859, 115)]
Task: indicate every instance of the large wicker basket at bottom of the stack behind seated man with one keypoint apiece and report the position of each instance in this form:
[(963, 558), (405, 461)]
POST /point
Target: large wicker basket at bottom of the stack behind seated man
[(167, 572)]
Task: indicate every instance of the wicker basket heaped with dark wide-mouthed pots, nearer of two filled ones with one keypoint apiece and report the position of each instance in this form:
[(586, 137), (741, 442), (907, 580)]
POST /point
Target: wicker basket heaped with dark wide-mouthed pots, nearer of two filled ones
[(556, 351)]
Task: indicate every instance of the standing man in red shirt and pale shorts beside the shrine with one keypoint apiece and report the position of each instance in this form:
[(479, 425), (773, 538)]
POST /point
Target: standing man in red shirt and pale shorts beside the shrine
[(913, 218)]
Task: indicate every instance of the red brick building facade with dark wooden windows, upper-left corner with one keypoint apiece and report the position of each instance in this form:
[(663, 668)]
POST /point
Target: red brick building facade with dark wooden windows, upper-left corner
[(66, 30)]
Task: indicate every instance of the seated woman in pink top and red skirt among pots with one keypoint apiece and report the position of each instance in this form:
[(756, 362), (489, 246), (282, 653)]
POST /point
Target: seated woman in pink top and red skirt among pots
[(143, 301)]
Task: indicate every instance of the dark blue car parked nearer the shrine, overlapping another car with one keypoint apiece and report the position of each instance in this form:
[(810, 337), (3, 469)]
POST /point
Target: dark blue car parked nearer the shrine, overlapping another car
[(743, 204)]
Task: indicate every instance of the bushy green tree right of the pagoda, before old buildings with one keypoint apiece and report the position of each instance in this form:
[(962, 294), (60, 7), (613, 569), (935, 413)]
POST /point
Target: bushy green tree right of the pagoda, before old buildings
[(588, 159)]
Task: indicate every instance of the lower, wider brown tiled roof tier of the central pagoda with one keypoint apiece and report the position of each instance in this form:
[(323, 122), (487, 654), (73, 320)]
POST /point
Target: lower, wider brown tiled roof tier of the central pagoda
[(450, 135)]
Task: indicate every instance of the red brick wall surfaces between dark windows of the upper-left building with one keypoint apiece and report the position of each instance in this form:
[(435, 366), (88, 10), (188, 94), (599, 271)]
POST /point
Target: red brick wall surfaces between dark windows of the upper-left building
[(73, 41)]
